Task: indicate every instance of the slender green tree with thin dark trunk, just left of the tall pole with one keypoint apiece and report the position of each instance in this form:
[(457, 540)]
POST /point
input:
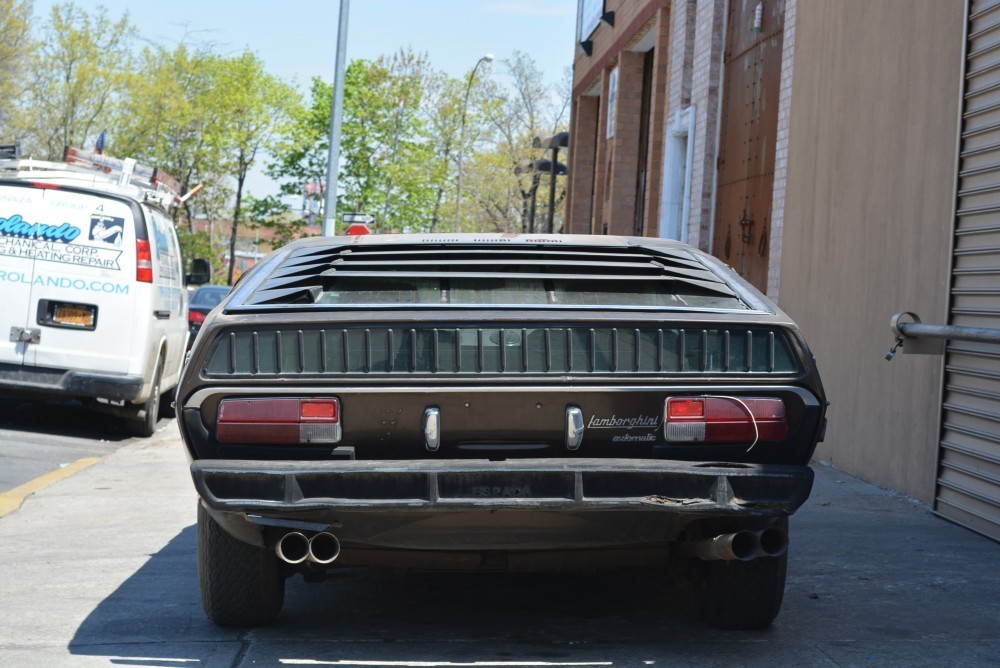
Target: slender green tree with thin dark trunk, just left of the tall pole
[(254, 108)]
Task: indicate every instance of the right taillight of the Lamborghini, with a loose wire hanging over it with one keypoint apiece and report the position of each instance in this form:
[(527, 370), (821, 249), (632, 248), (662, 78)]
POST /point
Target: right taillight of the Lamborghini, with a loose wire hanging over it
[(725, 420)]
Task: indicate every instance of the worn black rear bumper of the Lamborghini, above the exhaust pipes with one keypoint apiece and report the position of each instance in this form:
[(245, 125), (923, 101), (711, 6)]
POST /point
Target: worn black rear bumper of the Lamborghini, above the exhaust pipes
[(274, 488)]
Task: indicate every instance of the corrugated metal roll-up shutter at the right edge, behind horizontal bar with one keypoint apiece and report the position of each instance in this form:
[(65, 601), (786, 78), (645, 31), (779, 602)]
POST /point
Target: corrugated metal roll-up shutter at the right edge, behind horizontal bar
[(968, 490)]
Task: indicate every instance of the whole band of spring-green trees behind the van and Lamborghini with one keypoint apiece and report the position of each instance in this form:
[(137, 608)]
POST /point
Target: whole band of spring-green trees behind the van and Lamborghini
[(206, 118)]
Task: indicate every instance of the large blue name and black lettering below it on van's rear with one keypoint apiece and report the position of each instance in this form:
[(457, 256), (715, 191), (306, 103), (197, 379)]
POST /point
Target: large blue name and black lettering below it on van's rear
[(53, 244)]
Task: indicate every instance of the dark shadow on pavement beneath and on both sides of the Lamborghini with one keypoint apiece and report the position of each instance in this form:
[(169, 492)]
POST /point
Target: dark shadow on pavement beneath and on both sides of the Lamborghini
[(873, 578)]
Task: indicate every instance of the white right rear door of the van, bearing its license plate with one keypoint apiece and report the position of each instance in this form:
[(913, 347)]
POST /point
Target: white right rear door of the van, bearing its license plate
[(82, 291)]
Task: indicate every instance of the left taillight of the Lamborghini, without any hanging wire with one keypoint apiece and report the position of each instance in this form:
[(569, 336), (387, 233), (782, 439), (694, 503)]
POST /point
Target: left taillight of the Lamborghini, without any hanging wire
[(284, 420)]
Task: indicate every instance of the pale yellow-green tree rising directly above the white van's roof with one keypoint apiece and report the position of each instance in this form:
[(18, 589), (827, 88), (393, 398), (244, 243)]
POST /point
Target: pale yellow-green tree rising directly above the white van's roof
[(78, 80)]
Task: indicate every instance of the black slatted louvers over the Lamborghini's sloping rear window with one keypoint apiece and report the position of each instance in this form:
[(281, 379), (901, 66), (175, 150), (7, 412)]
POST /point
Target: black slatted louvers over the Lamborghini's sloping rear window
[(309, 272)]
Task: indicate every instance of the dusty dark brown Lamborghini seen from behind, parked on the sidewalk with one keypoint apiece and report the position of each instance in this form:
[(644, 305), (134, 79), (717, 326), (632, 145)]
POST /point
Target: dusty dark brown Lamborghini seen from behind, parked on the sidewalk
[(497, 402)]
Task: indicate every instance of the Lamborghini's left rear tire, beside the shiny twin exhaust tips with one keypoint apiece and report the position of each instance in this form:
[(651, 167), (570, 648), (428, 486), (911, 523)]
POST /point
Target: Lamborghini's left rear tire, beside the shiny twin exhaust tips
[(241, 584)]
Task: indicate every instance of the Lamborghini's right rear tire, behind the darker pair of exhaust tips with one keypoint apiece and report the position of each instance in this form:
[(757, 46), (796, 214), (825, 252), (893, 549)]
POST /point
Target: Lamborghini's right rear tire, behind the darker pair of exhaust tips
[(744, 595)]
